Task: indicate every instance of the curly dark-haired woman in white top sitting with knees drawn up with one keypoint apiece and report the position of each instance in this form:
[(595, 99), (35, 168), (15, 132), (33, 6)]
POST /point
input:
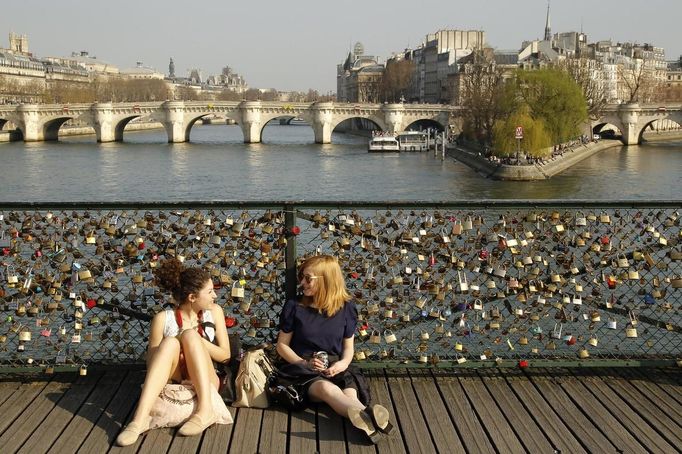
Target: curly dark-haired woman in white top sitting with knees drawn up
[(183, 343)]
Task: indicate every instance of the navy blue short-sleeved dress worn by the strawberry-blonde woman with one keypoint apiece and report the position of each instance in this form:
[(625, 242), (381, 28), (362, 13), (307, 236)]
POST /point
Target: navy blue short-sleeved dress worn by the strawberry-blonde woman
[(313, 332)]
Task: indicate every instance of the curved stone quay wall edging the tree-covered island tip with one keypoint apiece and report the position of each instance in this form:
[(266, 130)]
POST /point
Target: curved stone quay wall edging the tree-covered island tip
[(554, 166)]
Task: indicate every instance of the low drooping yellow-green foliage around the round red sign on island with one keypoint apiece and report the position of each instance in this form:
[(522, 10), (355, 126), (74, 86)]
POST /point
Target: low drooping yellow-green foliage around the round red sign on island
[(536, 139)]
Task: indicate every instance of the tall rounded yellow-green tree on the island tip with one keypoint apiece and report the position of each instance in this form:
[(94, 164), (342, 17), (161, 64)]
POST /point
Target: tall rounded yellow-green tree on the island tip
[(553, 97)]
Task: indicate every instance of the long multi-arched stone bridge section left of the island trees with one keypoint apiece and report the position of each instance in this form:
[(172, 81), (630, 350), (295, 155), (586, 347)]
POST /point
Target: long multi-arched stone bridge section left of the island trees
[(42, 122)]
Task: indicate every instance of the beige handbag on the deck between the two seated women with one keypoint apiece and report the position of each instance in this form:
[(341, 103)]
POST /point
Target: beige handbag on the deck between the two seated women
[(251, 381)]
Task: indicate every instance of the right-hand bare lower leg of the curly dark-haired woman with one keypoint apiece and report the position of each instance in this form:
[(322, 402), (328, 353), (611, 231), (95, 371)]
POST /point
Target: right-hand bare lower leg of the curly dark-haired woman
[(201, 372)]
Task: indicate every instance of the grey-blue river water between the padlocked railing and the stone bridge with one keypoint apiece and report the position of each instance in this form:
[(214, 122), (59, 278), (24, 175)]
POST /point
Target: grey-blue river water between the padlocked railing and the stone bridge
[(288, 165)]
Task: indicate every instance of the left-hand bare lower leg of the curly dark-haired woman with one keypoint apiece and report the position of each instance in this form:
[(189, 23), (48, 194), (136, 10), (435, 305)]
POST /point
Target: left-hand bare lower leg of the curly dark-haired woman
[(161, 367)]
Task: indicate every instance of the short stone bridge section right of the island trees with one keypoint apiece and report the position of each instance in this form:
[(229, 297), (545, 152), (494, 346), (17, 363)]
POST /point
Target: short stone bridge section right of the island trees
[(633, 119)]
